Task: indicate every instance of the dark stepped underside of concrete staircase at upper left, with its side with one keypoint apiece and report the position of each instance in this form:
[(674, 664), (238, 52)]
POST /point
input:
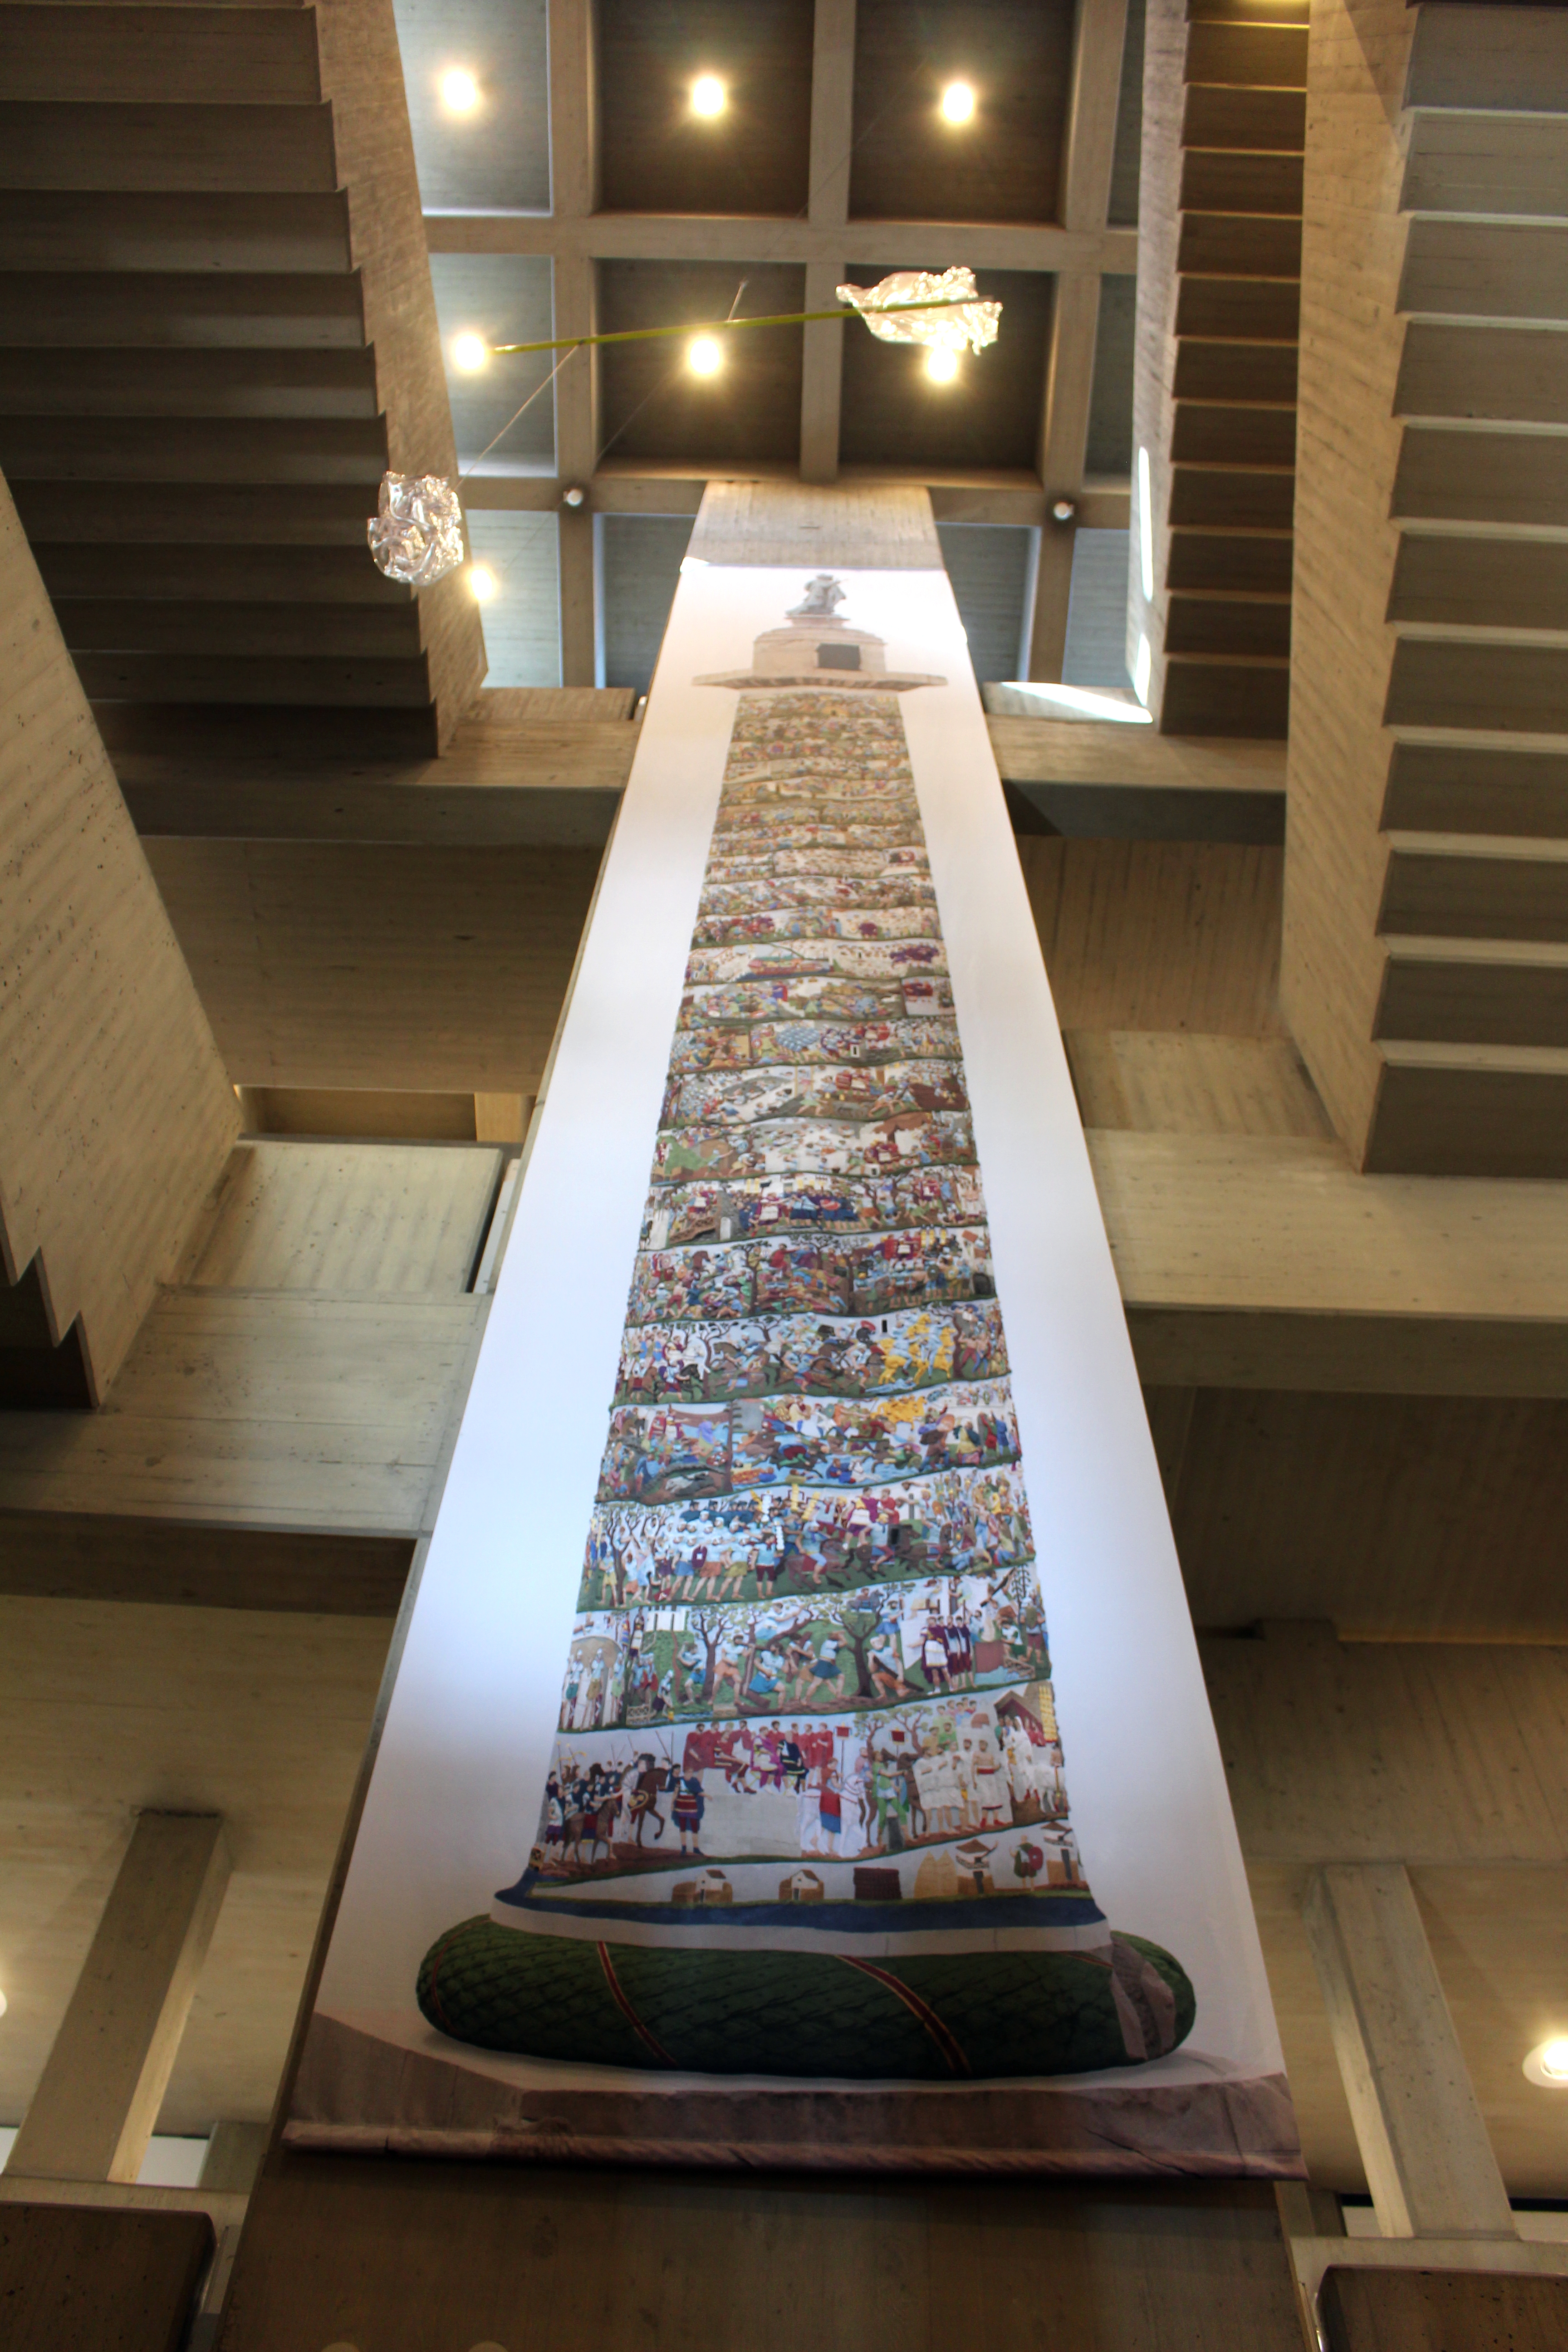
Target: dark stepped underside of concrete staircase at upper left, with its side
[(215, 335)]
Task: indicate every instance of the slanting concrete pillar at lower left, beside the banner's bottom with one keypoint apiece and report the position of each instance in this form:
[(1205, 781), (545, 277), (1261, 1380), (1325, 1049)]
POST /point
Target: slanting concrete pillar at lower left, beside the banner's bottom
[(105, 2080)]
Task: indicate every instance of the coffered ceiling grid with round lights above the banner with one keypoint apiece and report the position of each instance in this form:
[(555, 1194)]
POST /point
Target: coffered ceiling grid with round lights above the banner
[(584, 192)]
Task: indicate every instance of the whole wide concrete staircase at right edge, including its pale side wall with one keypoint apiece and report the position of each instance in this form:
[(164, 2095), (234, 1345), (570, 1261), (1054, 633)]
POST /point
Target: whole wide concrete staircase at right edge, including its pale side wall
[(1430, 700)]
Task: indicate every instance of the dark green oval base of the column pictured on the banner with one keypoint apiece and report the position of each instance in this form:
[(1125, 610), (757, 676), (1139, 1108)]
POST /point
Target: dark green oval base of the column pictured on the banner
[(810, 2014)]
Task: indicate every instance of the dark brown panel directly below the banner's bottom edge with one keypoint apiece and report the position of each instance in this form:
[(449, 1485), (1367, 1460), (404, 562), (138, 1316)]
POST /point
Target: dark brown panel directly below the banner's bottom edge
[(340, 2250)]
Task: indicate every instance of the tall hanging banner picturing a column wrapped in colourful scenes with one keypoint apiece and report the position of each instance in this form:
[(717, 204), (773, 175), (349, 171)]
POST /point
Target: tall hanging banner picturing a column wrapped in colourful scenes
[(735, 1803)]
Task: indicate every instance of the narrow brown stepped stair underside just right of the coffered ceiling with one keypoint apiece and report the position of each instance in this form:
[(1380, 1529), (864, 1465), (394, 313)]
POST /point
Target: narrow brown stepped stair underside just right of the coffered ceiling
[(1233, 436)]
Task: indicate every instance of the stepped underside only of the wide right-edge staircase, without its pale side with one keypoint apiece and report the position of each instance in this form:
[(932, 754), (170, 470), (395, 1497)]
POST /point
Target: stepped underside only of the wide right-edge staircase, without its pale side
[(1473, 1015)]
